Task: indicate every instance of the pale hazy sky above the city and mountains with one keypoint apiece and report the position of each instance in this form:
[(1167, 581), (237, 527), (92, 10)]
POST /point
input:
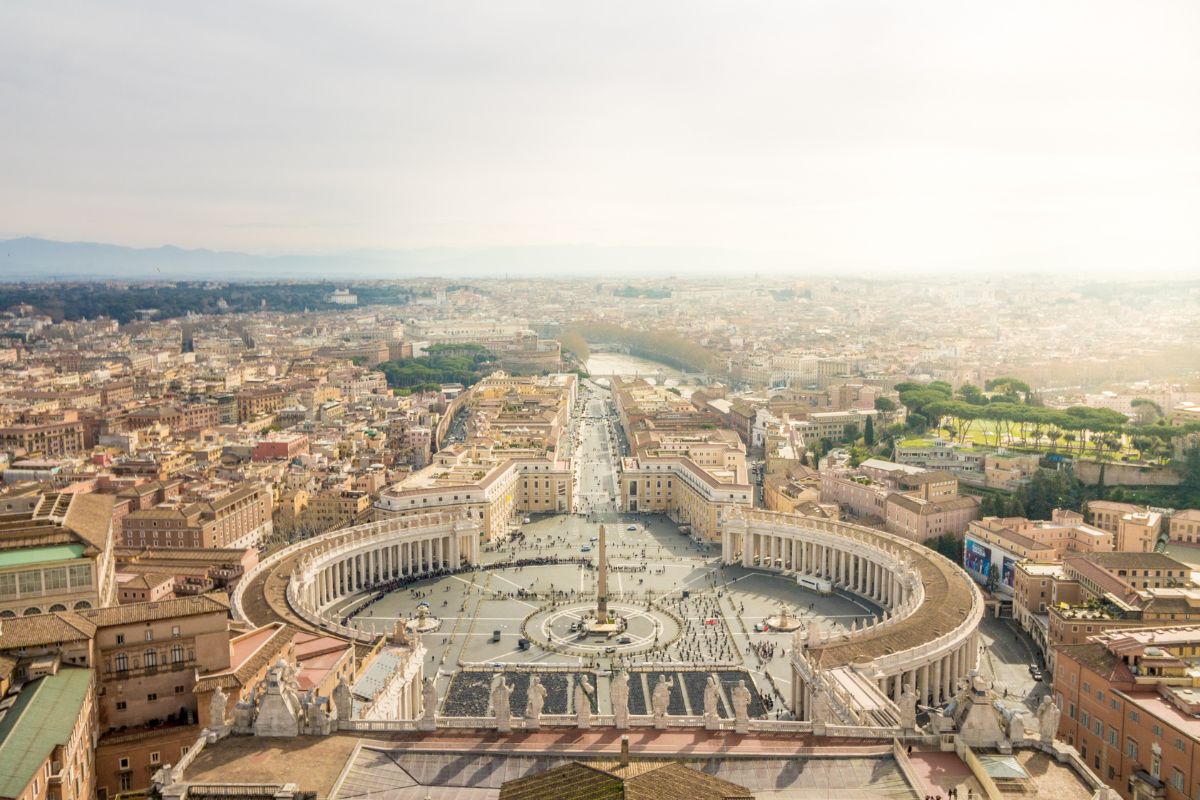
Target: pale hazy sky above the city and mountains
[(832, 135)]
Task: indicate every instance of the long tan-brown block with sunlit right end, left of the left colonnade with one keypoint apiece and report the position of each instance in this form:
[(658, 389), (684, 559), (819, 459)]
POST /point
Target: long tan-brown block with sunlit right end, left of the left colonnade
[(235, 519)]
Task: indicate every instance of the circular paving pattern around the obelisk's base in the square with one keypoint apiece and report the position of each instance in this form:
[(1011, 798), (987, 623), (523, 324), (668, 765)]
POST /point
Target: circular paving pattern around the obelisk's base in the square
[(562, 629)]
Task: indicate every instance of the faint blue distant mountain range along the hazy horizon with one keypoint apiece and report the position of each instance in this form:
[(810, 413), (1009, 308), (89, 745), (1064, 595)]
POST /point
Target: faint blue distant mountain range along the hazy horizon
[(41, 260)]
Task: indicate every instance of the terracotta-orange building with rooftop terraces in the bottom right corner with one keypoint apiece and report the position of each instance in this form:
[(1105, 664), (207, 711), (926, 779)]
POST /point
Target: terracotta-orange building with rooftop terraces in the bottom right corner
[(1131, 708)]
